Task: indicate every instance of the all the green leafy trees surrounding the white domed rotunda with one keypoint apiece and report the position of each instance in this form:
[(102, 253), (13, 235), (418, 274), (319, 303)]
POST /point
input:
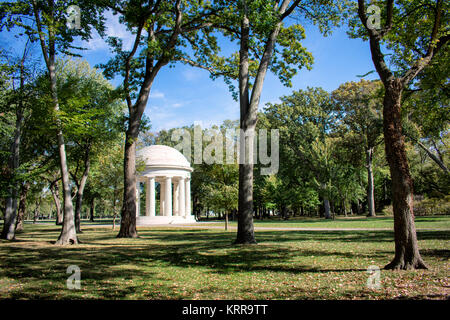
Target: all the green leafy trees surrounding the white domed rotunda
[(367, 147)]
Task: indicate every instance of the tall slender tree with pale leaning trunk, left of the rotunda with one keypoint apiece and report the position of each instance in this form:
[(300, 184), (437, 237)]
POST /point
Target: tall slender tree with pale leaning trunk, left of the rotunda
[(48, 27)]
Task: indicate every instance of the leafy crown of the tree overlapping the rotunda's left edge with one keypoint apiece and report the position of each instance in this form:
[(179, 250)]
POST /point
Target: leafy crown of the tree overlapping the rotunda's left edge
[(160, 41)]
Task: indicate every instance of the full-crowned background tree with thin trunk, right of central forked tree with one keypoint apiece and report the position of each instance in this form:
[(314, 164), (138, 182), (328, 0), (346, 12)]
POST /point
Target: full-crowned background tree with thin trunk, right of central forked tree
[(305, 120)]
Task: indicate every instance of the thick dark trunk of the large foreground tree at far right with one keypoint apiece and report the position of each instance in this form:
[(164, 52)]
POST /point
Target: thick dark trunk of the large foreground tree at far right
[(407, 254)]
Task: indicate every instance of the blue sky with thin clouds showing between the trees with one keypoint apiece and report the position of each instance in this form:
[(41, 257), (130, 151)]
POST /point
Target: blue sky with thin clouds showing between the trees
[(182, 95)]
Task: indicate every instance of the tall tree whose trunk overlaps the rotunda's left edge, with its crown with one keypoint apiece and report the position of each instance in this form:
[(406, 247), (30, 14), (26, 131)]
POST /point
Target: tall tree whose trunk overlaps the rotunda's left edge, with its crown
[(162, 31)]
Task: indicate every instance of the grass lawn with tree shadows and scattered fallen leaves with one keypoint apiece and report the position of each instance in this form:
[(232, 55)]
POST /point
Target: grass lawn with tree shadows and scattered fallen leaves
[(183, 263)]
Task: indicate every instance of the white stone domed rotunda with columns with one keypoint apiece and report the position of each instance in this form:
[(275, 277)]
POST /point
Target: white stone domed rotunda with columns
[(168, 167)]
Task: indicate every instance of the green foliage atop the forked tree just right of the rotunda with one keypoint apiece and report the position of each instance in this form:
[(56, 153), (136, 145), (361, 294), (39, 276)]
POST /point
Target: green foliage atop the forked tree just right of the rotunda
[(289, 55)]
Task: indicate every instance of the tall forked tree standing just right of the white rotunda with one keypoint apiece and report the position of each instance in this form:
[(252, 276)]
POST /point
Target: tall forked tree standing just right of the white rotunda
[(265, 43)]
